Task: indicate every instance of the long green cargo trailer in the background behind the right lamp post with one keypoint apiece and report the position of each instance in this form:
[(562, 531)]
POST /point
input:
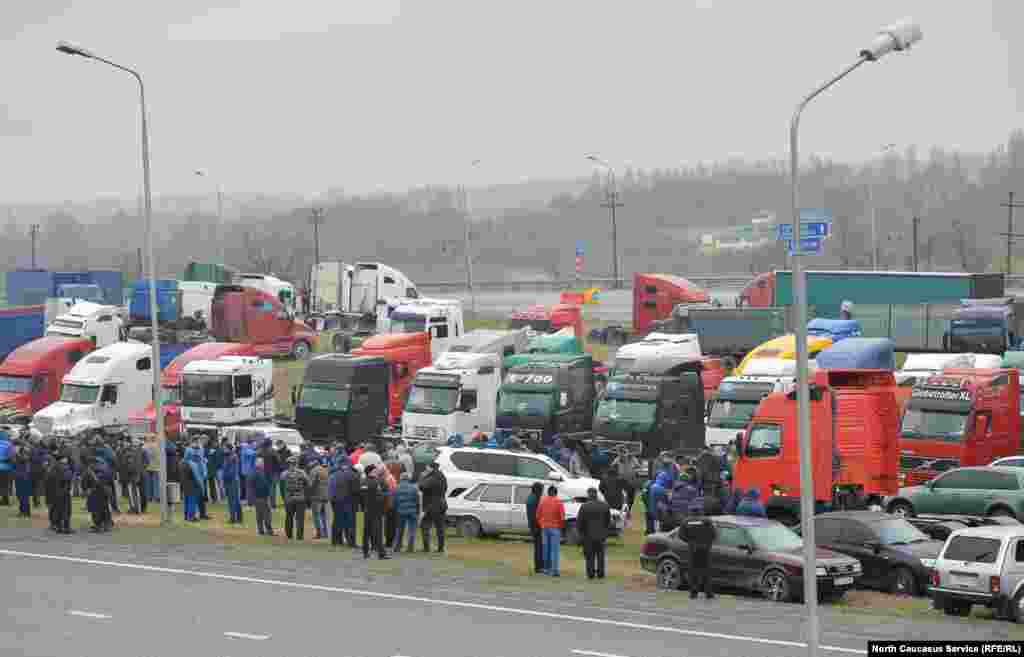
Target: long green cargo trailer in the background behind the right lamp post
[(828, 290)]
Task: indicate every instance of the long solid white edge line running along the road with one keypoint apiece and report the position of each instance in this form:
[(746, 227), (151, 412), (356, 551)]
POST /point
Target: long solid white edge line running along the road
[(429, 601)]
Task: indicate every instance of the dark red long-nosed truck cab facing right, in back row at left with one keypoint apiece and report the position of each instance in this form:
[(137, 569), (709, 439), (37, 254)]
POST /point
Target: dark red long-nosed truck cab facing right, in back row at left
[(253, 317)]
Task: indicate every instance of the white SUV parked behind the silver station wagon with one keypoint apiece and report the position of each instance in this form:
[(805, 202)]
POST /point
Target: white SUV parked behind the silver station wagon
[(465, 467)]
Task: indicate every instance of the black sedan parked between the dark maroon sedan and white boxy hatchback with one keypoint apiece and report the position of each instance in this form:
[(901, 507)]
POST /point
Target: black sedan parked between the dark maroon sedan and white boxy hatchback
[(897, 556)]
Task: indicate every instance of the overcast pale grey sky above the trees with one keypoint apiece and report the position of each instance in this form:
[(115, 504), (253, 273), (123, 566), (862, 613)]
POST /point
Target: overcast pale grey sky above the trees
[(386, 95)]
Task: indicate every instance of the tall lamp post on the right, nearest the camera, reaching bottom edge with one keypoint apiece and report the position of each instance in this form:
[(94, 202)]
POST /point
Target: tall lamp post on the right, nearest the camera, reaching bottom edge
[(899, 36)]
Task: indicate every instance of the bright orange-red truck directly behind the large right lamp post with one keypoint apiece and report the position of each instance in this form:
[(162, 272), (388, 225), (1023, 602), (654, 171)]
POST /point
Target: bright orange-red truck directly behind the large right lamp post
[(855, 421)]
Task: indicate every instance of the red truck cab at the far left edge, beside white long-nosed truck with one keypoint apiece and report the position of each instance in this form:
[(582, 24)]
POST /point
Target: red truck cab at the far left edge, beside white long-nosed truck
[(30, 377)]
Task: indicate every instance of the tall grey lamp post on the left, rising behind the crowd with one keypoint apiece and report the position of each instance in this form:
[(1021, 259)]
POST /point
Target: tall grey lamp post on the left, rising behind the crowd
[(68, 49)]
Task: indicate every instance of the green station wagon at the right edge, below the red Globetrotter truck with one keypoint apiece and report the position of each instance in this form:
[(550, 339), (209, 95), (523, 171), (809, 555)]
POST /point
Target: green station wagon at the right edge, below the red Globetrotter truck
[(985, 491)]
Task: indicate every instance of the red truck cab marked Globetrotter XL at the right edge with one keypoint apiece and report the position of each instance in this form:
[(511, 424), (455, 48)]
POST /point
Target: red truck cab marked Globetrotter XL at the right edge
[(962, 418)]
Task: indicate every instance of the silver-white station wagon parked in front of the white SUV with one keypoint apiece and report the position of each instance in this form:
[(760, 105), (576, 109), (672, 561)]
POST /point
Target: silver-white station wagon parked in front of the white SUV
[(498, 508)]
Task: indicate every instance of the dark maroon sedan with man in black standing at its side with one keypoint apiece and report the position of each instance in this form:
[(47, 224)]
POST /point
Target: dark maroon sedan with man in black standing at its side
[(755, 554)]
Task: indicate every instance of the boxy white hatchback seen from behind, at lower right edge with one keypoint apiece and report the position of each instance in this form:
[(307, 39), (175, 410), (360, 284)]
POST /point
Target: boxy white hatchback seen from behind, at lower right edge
[(982, 566)]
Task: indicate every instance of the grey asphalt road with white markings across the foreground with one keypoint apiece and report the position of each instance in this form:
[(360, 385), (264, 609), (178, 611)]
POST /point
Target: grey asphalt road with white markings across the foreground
[(86, 596)]
